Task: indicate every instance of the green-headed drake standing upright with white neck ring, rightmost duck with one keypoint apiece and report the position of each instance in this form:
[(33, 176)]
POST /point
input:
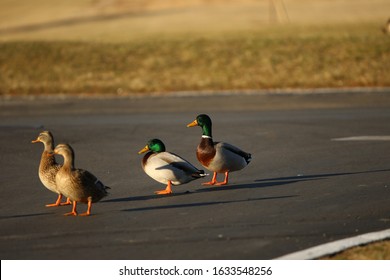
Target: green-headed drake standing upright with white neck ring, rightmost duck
[(218, 157)]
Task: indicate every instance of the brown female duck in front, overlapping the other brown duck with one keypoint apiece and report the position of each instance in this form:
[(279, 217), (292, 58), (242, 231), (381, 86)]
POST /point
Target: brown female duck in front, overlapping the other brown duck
[(77, 184)]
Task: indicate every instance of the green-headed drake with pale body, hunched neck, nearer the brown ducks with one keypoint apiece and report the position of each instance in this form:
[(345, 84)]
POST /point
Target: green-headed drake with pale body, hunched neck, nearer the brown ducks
[(167, 168)]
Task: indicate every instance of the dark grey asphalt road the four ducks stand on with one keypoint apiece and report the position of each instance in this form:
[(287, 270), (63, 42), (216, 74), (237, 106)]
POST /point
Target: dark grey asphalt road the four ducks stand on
[(301, 189)]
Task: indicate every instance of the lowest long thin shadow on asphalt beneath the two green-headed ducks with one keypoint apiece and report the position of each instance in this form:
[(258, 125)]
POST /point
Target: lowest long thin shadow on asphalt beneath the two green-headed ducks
[(200, 204)]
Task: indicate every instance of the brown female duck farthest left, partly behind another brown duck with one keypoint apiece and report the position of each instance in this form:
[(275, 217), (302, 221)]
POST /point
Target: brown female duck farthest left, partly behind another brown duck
[(48, 167)]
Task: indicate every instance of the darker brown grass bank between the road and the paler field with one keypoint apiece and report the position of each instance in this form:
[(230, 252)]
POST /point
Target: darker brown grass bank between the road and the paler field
[(279, 57)]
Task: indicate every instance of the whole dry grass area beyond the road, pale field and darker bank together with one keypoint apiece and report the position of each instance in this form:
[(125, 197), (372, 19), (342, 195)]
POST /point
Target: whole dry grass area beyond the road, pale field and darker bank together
[(109, 46)]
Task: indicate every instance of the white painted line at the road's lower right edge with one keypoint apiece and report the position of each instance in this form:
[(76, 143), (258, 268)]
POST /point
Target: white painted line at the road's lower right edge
[(337, 246)]
